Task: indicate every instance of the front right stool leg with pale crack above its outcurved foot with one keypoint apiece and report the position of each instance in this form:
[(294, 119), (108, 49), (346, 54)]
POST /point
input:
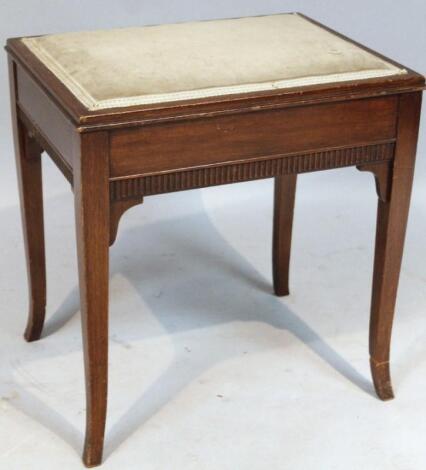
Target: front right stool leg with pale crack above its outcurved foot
[(392, 217)]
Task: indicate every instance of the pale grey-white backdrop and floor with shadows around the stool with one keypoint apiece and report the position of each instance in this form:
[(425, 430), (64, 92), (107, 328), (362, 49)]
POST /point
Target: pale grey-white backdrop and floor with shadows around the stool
[(208, 369)]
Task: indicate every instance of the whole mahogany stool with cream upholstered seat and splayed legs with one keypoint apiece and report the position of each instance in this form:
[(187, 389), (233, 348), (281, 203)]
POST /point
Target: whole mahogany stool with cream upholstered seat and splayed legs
[(136, 112)]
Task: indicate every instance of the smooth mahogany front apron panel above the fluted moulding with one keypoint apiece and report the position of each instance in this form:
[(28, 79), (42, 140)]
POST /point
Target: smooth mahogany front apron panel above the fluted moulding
[(170, 146)]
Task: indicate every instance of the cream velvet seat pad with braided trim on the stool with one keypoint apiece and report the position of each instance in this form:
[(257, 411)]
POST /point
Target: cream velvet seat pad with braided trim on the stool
[(153, 64)]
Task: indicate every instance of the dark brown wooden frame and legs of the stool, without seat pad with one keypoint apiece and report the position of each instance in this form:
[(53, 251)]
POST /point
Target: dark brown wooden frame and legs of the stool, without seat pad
[(114, 158)]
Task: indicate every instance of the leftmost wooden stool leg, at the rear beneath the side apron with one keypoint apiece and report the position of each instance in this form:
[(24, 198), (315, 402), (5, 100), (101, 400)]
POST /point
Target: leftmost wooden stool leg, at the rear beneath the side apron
[(28, 164)]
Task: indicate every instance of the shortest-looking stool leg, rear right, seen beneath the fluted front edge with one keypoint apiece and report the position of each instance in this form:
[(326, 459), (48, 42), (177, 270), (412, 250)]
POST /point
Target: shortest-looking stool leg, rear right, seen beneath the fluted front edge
[(284, 197)]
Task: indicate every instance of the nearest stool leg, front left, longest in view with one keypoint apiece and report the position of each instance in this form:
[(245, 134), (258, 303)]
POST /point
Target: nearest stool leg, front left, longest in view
[(91, 188)]
